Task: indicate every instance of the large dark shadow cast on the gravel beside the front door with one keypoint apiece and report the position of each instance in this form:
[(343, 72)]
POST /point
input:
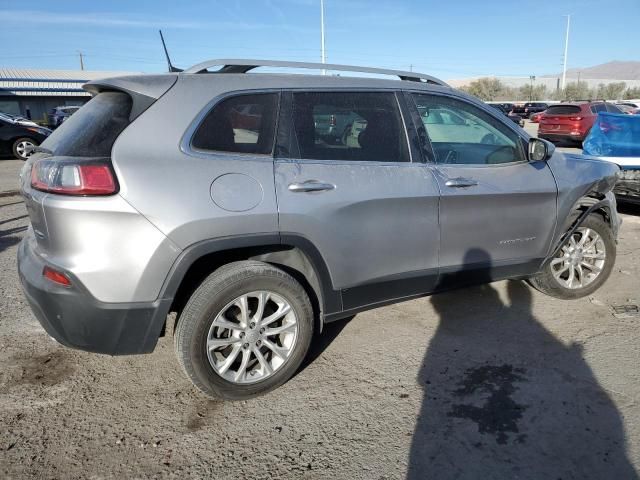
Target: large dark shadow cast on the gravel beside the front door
[(504, 398)]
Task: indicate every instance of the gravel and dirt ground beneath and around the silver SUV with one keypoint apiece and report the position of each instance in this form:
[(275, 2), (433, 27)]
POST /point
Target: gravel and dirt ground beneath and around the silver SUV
[(490, 382)]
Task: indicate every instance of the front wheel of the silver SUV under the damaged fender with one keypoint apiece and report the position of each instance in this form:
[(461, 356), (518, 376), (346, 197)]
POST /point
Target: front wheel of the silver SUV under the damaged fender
[(582, 264)]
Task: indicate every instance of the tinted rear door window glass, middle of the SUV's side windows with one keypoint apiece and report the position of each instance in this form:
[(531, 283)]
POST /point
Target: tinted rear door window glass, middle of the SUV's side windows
[(349, 126)]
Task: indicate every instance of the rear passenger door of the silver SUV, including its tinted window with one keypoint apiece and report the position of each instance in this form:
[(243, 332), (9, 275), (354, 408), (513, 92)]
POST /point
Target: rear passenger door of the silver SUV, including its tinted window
[(359, 198)]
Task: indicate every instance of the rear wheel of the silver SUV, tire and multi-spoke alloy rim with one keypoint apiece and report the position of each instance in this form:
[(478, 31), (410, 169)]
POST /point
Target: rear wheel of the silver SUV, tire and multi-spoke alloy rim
[(244, 331)]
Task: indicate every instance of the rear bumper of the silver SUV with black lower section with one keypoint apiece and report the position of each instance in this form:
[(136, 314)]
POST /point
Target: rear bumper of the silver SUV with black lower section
[(73, 317)]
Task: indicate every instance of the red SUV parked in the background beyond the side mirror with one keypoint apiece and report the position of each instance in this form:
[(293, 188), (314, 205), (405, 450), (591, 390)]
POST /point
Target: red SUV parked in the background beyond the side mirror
[(571, 122)]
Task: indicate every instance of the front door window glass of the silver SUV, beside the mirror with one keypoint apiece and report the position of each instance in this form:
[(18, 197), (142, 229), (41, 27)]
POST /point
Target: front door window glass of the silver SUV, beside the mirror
[(461, 133)]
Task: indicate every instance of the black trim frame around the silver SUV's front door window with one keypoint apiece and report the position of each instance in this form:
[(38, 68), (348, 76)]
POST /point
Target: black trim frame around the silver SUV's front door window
[(428, 148)]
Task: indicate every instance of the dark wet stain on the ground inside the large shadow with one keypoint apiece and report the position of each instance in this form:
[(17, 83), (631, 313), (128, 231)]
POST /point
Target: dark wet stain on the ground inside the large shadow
[(499, 415)]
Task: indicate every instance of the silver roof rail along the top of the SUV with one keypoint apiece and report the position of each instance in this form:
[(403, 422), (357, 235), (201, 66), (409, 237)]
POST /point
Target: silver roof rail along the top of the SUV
[(244, 65)]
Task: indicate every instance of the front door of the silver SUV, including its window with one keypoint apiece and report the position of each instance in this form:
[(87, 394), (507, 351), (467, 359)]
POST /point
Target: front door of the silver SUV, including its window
[(497, 209)]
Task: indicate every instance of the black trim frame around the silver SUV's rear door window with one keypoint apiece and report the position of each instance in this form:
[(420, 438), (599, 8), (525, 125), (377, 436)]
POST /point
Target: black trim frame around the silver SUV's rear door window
[(294, 156)]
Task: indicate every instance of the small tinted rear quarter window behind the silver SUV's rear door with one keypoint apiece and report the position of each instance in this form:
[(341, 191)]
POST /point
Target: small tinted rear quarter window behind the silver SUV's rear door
[(242, 124)]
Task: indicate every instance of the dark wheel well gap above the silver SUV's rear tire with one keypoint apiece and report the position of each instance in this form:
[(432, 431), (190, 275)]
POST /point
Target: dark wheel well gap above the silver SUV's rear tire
[(288, 258)]
